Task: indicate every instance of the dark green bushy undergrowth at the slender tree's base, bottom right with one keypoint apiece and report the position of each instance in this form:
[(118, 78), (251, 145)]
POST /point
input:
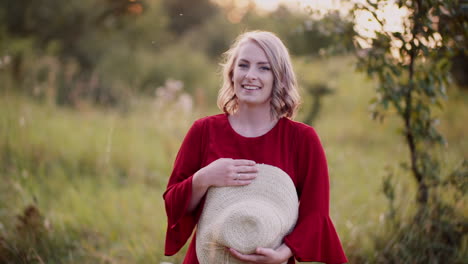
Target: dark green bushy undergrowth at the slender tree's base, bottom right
[(438, 230)]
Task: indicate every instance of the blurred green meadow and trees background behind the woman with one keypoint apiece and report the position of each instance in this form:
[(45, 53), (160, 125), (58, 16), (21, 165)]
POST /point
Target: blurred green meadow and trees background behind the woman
[(97, 95)]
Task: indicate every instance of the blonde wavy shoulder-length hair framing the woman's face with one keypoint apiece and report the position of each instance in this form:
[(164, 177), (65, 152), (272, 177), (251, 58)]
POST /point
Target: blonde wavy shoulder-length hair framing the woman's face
[(285, 97)]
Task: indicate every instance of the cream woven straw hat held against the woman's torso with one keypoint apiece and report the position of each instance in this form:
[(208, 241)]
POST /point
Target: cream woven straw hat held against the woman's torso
[(246, 217)]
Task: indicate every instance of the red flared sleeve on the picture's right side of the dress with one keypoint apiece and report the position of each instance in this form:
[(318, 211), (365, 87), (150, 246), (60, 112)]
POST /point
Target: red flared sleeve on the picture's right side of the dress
[(314, 237)]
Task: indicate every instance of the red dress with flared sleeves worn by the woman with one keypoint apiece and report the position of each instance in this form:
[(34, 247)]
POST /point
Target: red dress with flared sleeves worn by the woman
[(292, 146)]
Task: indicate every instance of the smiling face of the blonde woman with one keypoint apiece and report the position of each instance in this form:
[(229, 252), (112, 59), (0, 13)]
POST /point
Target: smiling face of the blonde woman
[(252, 75)]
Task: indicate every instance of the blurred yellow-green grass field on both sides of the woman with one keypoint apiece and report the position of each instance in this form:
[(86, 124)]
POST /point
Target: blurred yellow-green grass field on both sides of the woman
[(97, 176)]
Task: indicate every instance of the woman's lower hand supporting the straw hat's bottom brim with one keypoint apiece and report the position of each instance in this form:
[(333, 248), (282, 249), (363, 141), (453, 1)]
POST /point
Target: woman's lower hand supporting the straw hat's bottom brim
[(265, 255)]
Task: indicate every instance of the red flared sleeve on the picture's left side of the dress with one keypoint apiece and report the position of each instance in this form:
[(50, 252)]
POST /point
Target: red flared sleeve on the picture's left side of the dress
[(180, 222)]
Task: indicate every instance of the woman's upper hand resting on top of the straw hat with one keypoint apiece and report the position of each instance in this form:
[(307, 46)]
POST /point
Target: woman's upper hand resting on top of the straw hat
[(227, 172)]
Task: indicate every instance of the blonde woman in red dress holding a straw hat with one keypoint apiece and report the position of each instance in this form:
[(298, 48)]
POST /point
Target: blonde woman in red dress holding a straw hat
[(259, 96)]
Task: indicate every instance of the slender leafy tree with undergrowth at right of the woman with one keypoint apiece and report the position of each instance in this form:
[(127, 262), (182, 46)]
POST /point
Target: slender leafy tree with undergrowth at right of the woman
[(412, 68)]
